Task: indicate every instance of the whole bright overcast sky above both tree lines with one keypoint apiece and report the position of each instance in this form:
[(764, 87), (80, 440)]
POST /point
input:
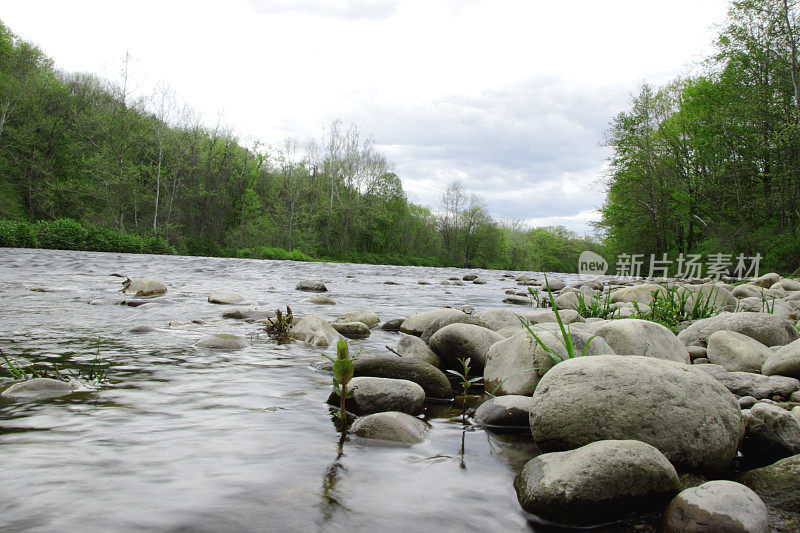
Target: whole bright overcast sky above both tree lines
[(511, 97)]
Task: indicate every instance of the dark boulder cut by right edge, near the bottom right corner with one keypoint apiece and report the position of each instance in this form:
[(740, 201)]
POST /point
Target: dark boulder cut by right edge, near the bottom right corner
[(777, 484)]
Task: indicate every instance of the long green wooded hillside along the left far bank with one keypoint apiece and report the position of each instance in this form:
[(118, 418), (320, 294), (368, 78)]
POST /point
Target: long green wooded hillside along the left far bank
[(74, 146)]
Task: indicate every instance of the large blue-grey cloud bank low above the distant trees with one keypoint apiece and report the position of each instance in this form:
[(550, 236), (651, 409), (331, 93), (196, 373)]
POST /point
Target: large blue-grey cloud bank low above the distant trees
[(531, 151)]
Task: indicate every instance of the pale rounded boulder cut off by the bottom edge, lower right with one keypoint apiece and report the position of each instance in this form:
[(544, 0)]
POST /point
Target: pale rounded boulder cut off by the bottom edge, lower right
[(716, 507)]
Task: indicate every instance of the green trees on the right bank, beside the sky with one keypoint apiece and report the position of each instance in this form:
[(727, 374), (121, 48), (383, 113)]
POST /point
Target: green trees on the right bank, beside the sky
[(711, 163)]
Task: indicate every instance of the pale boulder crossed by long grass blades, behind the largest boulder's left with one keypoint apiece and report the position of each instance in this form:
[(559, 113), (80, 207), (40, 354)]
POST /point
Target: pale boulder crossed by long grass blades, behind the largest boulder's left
[(516, 364)]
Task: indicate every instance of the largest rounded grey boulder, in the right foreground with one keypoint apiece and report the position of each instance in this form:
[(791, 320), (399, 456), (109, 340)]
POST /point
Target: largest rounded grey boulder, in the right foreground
[(688, 415)]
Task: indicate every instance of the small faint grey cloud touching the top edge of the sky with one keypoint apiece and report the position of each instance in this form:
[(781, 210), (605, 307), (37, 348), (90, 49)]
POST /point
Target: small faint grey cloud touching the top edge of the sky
[(349, 9)]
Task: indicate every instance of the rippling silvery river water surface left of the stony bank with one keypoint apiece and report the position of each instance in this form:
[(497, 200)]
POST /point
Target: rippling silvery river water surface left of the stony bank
[(187, 439)]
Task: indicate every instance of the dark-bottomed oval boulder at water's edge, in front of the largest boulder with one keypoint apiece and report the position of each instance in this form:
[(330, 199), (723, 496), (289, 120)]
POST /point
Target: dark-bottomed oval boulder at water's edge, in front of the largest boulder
[(596, 482)]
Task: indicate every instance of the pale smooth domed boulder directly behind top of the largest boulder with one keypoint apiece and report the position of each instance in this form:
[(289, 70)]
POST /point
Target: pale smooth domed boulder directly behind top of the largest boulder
[(642, 337)]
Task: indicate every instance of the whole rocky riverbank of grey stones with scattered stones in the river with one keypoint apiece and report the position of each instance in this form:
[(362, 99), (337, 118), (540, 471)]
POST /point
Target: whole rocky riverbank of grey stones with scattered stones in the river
[(670, 420)]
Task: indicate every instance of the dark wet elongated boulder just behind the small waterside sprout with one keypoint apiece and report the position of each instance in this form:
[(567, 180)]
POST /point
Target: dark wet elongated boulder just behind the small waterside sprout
[(431, 379)]
